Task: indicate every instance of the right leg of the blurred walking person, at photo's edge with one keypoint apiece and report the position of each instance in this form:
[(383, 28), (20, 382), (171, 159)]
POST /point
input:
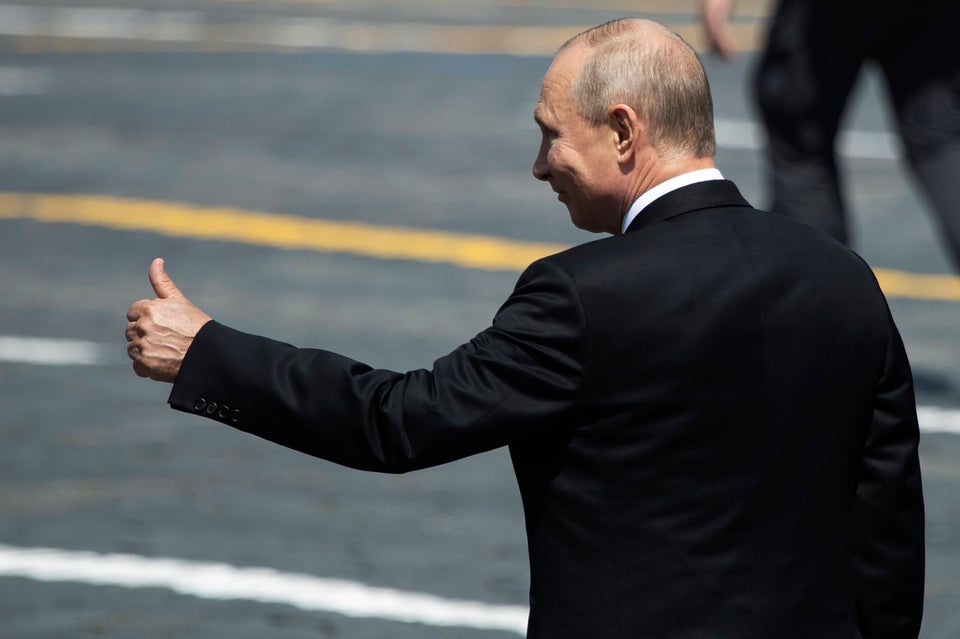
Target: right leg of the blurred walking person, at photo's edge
[(922, 65)]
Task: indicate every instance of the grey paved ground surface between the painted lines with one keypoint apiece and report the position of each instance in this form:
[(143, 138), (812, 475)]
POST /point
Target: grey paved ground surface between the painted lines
[(92, 458)]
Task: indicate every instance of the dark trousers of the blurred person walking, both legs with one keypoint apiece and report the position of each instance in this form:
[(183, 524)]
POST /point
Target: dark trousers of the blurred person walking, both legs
[(814, 52)]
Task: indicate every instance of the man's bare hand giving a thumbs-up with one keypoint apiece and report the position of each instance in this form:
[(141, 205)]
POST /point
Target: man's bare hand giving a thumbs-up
[(160, 331)]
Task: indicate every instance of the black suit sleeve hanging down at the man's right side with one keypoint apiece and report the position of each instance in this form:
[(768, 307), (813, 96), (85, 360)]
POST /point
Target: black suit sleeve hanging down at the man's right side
[(888, 511)]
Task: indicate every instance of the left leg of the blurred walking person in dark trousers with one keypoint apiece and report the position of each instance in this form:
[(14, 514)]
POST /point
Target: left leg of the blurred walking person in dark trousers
[(801, 87)]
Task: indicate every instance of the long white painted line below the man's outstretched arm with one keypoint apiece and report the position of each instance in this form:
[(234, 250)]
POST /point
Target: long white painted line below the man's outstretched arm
[(226, 582)]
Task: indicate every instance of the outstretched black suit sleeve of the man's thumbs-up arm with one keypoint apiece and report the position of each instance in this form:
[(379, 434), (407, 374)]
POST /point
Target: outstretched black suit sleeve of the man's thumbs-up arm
[(518, 376)]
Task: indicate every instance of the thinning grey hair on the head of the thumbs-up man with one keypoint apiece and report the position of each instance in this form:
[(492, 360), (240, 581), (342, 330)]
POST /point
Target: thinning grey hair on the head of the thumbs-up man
[(659, 77)]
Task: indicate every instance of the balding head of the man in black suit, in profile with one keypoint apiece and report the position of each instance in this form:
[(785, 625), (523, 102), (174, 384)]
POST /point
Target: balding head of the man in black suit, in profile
[(623, 107)]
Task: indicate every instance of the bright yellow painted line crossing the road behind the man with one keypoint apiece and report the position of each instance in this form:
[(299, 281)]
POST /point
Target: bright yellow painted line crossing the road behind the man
[(485, 252)]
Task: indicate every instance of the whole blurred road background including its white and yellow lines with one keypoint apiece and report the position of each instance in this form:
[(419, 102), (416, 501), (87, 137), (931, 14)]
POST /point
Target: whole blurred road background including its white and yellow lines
[(347, 174)]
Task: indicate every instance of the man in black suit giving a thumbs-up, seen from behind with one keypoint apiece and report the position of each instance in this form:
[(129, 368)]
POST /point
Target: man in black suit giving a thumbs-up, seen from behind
[(710, 413)]
